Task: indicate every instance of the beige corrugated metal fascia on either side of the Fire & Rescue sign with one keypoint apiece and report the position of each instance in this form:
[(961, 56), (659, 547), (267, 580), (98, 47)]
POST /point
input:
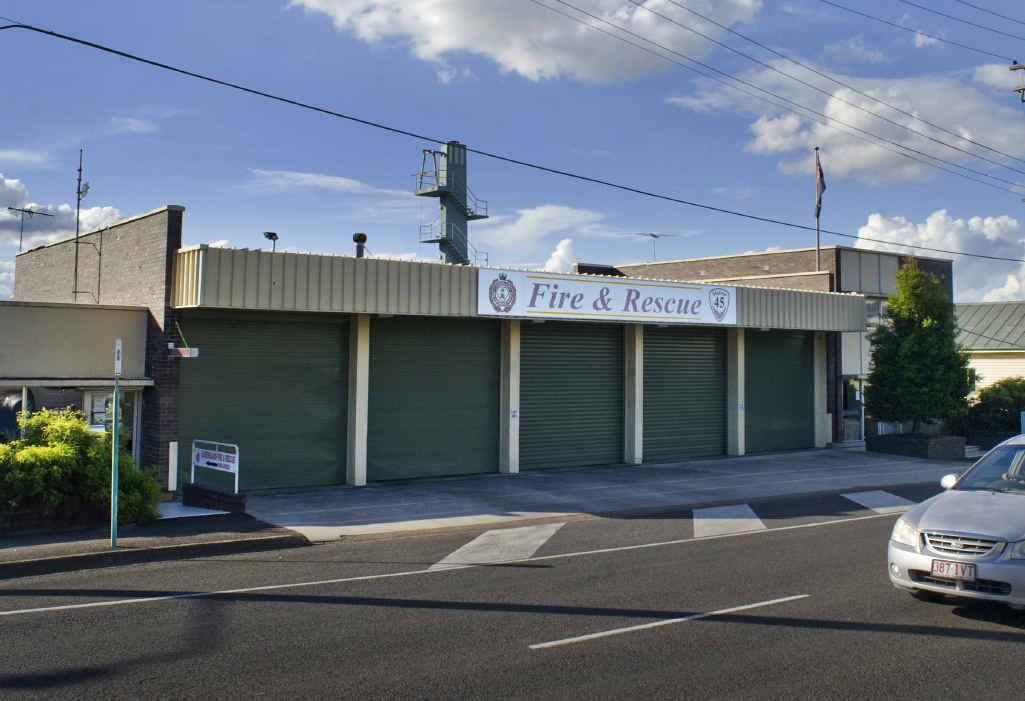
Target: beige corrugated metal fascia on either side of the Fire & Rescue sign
[(225, 278)]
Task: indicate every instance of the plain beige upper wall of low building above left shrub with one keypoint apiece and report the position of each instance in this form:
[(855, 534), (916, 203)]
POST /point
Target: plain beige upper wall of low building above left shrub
[(39, 341)]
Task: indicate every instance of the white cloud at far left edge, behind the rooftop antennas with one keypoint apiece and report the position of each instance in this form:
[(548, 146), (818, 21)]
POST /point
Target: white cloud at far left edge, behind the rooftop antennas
[(40, 229)]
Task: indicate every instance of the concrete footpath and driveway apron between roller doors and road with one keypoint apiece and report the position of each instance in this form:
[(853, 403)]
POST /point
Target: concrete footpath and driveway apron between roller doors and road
[(297, 518)]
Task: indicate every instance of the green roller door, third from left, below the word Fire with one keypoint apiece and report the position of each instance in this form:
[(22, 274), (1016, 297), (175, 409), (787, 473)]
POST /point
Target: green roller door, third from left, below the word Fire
[(571, 395)]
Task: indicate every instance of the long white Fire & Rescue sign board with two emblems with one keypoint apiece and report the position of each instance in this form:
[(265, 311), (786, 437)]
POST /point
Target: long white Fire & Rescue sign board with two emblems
[(552, 296)]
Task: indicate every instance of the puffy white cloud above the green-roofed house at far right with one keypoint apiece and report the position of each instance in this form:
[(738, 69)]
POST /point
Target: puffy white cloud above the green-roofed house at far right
[(975, 279)]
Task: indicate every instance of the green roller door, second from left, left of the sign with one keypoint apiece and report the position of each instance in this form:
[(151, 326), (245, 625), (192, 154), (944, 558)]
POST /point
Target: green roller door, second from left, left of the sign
[(434, 398)]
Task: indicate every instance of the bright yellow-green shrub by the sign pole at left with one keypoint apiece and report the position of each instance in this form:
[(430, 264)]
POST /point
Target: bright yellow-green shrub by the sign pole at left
[(61, 468)]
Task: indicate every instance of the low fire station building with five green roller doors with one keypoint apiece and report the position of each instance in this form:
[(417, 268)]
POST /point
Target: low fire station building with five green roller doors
[(329, 369)]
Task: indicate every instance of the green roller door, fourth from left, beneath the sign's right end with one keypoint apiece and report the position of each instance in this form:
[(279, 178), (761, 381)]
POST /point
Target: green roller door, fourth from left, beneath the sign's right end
[(684, 393)]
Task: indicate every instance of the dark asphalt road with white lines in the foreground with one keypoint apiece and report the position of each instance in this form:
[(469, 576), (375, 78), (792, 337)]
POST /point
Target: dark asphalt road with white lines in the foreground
[(618, 608)]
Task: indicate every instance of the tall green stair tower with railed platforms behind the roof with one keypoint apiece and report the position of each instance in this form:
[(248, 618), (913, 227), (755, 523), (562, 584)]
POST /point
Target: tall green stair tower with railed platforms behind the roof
[(443, 175)]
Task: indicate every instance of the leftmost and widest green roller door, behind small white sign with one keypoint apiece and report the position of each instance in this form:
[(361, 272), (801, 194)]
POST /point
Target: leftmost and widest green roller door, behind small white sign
[(276, 386)]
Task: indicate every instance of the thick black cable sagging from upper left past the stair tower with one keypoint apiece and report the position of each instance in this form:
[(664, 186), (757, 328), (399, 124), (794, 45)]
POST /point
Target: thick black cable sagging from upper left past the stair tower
[(499, 157)]
